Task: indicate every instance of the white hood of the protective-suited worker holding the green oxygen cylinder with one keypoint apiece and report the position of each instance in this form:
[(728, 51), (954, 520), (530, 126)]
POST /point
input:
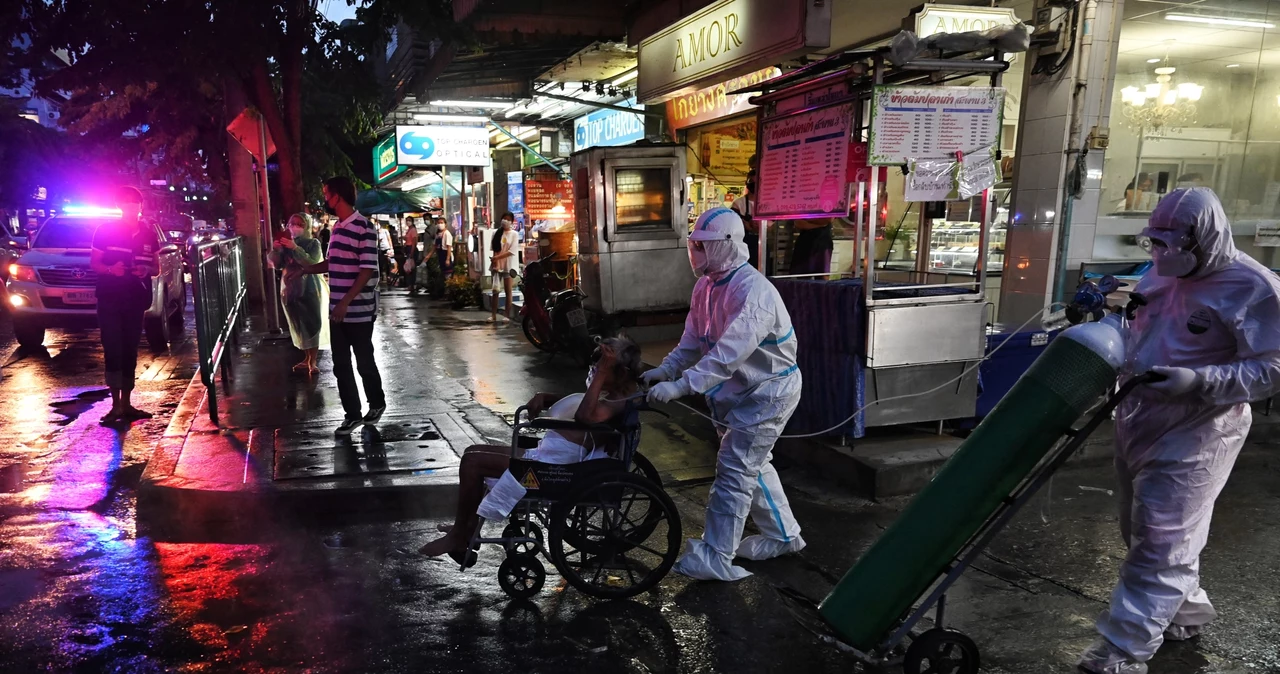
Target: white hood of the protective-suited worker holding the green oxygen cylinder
[(1199, 212)]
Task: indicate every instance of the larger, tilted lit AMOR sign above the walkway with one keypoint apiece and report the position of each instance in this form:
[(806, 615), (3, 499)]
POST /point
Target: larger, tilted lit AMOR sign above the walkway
[(729, 39)]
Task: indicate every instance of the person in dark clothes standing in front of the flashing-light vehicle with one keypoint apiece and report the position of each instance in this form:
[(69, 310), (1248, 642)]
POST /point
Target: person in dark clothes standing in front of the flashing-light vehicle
[(125, 259)]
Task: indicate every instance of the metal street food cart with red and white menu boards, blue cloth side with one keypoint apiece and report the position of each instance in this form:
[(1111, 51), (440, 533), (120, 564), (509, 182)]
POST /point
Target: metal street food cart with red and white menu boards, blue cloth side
[(904, 342)]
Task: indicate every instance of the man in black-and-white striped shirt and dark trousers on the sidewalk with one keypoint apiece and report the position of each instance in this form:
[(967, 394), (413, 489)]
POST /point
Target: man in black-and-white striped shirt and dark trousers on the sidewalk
[(353, 268)]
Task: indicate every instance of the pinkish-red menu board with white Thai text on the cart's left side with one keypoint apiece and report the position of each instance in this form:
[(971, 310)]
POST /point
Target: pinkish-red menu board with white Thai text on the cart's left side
[(804, 164)]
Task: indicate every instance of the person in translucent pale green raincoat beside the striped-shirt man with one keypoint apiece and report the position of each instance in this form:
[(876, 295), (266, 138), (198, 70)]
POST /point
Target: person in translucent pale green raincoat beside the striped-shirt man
[(304, 296)]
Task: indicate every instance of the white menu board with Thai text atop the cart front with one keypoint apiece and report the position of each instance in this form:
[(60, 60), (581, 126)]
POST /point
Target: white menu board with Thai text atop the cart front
[(913, 123)]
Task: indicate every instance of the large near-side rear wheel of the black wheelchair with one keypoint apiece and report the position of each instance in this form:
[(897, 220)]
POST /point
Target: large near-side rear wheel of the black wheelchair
[(616, 537)]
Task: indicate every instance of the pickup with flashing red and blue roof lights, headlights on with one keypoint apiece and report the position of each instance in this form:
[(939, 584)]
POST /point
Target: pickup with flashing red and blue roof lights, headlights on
[(52, 285)]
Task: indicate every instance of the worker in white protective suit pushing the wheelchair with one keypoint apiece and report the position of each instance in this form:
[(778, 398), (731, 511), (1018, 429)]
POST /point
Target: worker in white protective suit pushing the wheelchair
[(739, 350)]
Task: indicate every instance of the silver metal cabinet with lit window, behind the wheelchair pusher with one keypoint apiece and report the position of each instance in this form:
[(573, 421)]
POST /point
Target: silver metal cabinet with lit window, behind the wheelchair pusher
[(632, 217)]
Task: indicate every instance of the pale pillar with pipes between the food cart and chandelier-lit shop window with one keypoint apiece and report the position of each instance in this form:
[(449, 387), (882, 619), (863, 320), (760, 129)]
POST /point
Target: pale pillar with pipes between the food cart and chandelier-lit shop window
[(1049, 239)]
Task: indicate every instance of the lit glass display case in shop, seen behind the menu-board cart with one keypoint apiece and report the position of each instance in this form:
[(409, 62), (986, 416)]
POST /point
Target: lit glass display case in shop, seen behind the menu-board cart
[(954, 240)]
